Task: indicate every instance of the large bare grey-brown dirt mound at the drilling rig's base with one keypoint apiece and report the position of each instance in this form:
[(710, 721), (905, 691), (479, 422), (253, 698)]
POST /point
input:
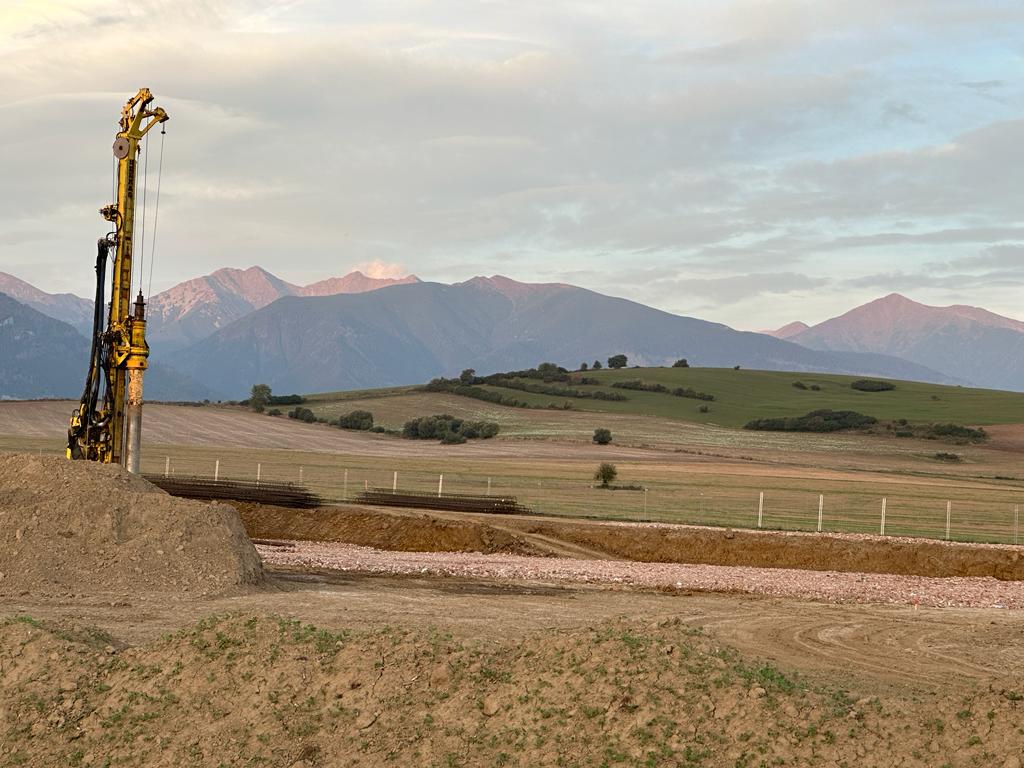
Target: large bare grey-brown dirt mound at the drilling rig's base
[(84, 529)]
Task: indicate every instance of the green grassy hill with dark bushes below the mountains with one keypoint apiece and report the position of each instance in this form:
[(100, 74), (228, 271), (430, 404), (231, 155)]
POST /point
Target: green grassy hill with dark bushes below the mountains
[(743, 396)]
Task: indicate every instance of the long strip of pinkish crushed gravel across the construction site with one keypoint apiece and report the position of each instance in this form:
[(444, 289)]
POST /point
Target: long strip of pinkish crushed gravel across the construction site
[(815, 585)]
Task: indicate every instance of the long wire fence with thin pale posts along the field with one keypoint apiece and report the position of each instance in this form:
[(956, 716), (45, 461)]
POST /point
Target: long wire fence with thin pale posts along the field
[(921, 510)]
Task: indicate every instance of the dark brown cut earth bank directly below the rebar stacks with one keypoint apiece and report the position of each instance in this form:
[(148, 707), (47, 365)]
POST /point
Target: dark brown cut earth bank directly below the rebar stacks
[(403, 532)]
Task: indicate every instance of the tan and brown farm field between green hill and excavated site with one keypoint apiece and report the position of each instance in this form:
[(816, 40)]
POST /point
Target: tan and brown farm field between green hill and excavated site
[(677, 473)]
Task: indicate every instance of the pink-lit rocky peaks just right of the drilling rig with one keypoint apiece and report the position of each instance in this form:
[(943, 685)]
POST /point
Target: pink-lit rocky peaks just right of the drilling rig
[(196, 309)]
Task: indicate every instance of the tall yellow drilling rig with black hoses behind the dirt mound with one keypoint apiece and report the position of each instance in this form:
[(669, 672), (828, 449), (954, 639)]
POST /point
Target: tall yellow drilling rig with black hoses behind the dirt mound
[(108, 425)]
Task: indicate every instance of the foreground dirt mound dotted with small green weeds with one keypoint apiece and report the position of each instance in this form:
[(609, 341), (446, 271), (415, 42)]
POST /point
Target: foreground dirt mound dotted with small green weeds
[(239, 691)]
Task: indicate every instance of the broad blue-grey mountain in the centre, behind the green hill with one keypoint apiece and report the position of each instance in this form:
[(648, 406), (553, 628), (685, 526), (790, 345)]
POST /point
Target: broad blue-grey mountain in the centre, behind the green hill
[(411, 333)]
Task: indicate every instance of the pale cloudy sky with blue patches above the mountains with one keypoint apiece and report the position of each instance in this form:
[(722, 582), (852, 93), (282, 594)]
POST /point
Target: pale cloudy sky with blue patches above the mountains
[(750, 162)]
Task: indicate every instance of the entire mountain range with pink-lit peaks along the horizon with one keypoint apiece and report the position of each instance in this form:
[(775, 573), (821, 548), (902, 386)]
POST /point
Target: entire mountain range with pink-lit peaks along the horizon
[(217, 335)]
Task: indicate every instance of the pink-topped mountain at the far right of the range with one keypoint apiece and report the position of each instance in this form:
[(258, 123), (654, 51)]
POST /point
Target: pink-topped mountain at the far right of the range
[(965, 343)]
